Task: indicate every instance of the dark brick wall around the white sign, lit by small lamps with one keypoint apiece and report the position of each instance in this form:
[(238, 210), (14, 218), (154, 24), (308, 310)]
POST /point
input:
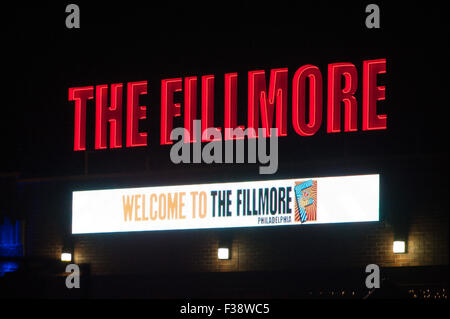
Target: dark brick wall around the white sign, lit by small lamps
[(285, 248)]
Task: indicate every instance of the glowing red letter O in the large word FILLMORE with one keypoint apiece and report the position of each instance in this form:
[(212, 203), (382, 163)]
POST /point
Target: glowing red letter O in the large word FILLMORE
[(311, 73)]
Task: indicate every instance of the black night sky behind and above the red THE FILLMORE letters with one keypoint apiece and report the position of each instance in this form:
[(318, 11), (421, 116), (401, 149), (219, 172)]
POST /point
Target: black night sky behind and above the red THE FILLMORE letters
[(131, 41)]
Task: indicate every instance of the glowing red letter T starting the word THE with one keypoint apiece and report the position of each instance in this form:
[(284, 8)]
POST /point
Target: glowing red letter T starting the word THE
[(80, 95)]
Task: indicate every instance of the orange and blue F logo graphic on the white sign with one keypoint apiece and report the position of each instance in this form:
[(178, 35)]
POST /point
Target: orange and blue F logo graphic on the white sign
[(306, 201)]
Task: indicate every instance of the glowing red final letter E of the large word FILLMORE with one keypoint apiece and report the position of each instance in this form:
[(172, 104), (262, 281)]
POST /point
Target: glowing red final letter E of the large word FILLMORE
[(373, 93)]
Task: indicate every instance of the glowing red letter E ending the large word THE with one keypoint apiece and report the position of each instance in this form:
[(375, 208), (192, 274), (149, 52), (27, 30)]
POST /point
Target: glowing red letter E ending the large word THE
[(135, 112)]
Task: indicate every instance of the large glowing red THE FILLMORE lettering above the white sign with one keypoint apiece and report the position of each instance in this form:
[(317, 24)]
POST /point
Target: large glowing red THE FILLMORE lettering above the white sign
[(270, 106)]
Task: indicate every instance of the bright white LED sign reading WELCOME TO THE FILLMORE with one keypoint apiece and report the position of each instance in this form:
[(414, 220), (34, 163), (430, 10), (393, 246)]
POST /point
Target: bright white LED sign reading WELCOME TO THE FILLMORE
[(296, 202)]
